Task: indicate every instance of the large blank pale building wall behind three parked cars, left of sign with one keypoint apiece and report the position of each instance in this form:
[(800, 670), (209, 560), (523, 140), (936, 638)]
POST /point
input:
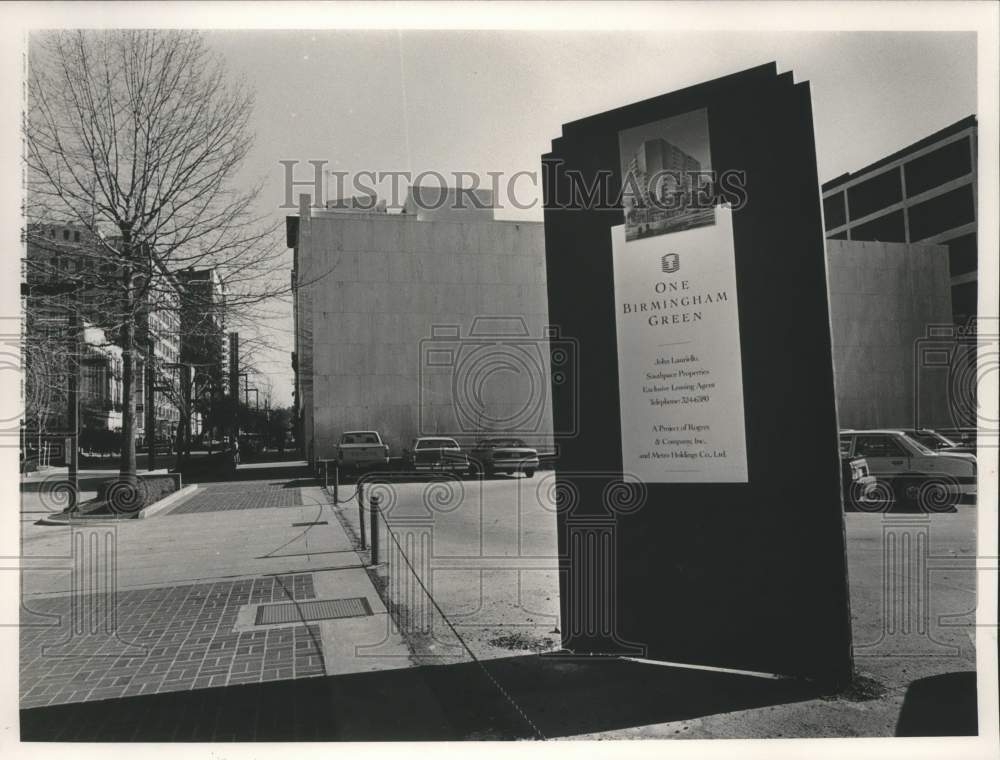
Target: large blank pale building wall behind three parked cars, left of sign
[(411, 324)]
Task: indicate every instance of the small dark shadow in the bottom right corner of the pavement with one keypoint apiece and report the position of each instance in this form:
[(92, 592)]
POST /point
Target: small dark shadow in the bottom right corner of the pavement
[(943, 705)]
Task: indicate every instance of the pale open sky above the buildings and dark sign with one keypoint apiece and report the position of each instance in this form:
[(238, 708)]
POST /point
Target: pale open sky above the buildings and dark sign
[(485, 101)]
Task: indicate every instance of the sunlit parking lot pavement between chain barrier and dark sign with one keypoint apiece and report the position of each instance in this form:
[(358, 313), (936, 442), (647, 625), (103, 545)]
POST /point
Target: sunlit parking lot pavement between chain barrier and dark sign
[(470, 566)]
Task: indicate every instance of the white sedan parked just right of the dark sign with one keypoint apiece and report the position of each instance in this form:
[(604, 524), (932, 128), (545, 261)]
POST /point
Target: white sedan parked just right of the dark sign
[(910, 471)]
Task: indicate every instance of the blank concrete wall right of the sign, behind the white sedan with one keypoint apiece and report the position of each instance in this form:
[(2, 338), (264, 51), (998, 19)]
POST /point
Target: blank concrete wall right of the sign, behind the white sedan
[(884, 297)]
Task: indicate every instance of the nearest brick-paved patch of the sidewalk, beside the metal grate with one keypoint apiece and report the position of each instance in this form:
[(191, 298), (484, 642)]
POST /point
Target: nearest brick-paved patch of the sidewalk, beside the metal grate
[(184, 639)]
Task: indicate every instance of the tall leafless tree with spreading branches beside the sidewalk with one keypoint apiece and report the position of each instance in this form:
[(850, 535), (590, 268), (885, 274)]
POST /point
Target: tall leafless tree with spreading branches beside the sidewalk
[(136, 137)]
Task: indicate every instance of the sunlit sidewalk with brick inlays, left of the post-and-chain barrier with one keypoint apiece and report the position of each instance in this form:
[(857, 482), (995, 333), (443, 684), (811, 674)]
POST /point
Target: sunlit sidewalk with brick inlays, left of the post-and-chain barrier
[(190, 586)]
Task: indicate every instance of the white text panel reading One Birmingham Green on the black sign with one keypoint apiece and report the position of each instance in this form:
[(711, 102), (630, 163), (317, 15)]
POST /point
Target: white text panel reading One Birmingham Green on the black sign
[(679, 359)]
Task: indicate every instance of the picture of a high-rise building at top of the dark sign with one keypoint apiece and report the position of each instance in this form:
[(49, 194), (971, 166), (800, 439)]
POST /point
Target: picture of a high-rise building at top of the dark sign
[(664, 164)]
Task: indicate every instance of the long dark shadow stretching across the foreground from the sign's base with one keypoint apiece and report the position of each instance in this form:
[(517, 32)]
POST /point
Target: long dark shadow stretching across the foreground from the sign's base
[(548, 697)]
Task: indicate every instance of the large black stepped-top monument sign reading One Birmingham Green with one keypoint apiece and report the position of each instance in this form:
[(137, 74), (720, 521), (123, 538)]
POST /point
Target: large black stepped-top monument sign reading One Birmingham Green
[(700, 514)]
